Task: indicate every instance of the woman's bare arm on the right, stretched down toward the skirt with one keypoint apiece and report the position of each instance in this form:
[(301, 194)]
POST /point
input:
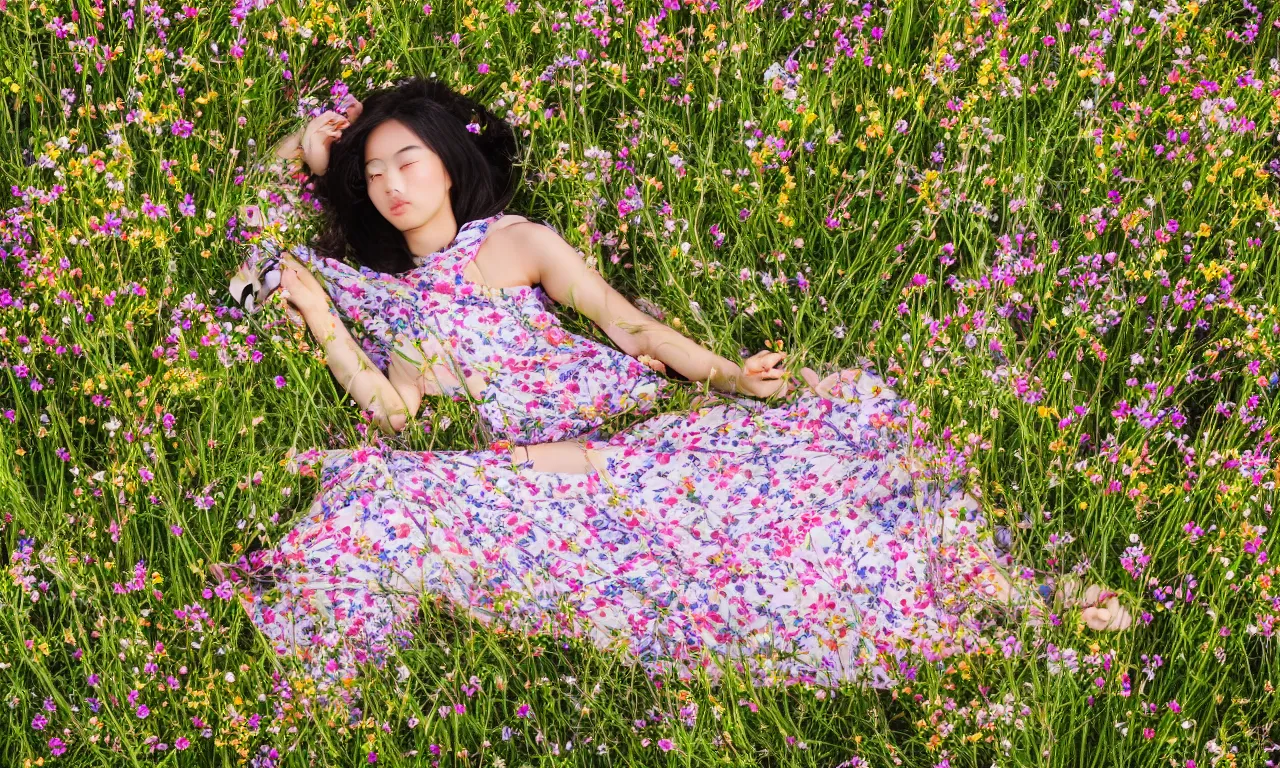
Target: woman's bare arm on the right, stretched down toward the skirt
[(569, 281)]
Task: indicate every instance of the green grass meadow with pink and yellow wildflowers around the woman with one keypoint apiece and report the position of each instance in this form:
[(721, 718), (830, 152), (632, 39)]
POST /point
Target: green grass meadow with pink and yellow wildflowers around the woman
[(1054, 225)]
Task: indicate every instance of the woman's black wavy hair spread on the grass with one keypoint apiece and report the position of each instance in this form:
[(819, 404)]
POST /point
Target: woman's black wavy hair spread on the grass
[(482, 167)]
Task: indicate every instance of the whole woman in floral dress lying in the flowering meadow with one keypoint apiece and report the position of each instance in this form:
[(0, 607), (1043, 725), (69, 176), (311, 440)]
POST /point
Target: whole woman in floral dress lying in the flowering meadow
[(798, 542)]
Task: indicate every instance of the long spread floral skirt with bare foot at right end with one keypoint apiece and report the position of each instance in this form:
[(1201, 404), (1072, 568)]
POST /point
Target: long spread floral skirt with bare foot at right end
[(797, 543)]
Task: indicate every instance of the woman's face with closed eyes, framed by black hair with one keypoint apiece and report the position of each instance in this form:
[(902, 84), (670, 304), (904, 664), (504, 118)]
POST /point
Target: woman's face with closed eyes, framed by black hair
[(408, 181)]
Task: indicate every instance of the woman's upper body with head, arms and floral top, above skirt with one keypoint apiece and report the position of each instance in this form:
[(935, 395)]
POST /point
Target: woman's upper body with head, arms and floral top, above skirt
[(450, 292)]
